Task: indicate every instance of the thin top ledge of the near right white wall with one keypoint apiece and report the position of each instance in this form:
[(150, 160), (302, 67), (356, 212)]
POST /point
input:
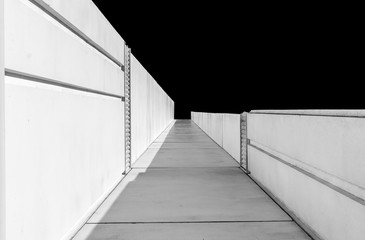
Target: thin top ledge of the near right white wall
[(315, 112)]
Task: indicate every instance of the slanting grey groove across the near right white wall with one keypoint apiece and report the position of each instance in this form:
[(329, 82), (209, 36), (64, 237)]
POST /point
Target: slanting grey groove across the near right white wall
[(314, 177)]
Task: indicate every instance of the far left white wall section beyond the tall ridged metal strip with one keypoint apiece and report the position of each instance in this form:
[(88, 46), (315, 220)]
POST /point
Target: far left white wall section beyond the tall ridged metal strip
[(152, 109)]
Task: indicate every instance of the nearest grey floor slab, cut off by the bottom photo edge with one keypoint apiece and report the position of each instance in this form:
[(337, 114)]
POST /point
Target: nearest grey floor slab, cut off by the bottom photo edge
[(195, 231)]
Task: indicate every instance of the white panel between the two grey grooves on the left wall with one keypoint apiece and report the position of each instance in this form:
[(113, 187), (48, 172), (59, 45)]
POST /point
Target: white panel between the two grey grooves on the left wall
[(37, 44)]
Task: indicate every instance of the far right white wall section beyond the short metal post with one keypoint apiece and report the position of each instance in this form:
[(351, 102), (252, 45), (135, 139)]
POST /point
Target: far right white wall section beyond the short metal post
[(224, 129)]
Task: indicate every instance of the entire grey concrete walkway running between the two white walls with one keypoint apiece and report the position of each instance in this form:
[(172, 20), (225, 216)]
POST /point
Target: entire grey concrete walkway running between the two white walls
[(186, 187)]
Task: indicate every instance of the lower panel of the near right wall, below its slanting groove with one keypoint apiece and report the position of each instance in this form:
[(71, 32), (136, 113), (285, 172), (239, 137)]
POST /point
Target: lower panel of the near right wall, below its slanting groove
[(331, 214)]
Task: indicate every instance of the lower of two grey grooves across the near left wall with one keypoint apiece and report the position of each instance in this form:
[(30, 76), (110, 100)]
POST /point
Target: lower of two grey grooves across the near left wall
[(33, 78)]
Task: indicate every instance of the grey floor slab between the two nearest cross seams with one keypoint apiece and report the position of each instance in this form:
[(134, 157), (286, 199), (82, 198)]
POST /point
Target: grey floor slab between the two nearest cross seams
[(195, 194)]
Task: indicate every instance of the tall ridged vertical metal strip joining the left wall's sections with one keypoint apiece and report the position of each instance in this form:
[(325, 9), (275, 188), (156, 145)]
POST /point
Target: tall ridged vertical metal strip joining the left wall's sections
[(127, 109)]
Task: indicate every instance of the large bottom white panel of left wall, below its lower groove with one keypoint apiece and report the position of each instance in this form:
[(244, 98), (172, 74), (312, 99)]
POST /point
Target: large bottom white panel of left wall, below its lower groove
[(64, 150)]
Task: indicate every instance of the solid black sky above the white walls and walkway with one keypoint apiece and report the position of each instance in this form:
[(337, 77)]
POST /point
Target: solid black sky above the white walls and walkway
[(223, 57)]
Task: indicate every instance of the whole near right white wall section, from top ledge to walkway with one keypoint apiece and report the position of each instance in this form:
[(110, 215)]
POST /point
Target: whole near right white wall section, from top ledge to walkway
[(329, 147)]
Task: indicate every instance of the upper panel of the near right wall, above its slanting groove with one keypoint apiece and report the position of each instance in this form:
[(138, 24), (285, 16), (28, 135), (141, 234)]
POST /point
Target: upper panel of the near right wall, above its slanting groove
[(329, 147)]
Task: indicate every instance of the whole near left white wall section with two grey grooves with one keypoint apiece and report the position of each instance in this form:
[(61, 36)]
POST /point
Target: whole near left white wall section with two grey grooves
[(64, 148)]
